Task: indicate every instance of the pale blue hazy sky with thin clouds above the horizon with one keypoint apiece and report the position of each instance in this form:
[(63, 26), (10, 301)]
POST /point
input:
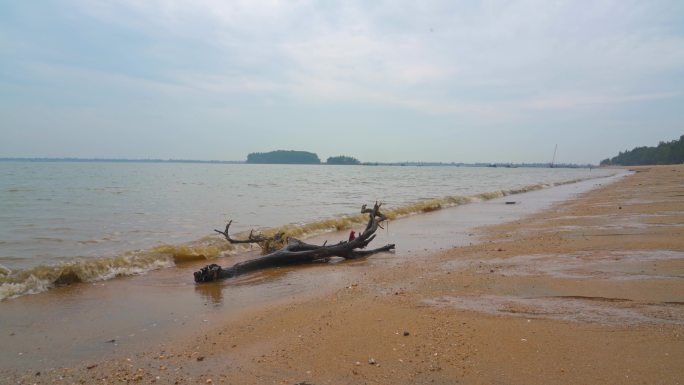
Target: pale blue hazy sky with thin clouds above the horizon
[(387, 81)]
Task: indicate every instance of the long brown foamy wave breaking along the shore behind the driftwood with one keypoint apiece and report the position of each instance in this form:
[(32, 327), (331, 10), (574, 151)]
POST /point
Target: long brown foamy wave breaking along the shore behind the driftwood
[(41, 278)]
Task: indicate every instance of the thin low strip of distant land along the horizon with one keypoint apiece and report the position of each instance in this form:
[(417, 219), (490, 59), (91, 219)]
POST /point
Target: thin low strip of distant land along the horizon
[(190, 161)]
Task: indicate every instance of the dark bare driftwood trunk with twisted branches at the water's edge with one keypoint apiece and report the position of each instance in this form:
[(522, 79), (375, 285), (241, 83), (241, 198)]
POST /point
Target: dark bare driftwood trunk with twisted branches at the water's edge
[(298, 252)]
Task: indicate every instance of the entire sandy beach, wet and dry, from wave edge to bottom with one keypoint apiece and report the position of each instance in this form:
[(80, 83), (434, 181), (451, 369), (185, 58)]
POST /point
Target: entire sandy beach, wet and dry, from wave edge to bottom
[(588, 290)]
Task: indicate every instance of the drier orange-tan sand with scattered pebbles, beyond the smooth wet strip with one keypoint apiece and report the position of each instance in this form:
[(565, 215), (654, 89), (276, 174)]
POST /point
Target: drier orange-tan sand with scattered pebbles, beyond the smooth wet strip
[(590, 291)]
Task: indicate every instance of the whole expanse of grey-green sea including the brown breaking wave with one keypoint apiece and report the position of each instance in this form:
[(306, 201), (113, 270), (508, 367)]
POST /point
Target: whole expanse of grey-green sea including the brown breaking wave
[(65, 222)]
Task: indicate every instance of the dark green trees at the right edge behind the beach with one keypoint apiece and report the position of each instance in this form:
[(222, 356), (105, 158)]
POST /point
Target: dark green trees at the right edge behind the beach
[(665, 153)]
